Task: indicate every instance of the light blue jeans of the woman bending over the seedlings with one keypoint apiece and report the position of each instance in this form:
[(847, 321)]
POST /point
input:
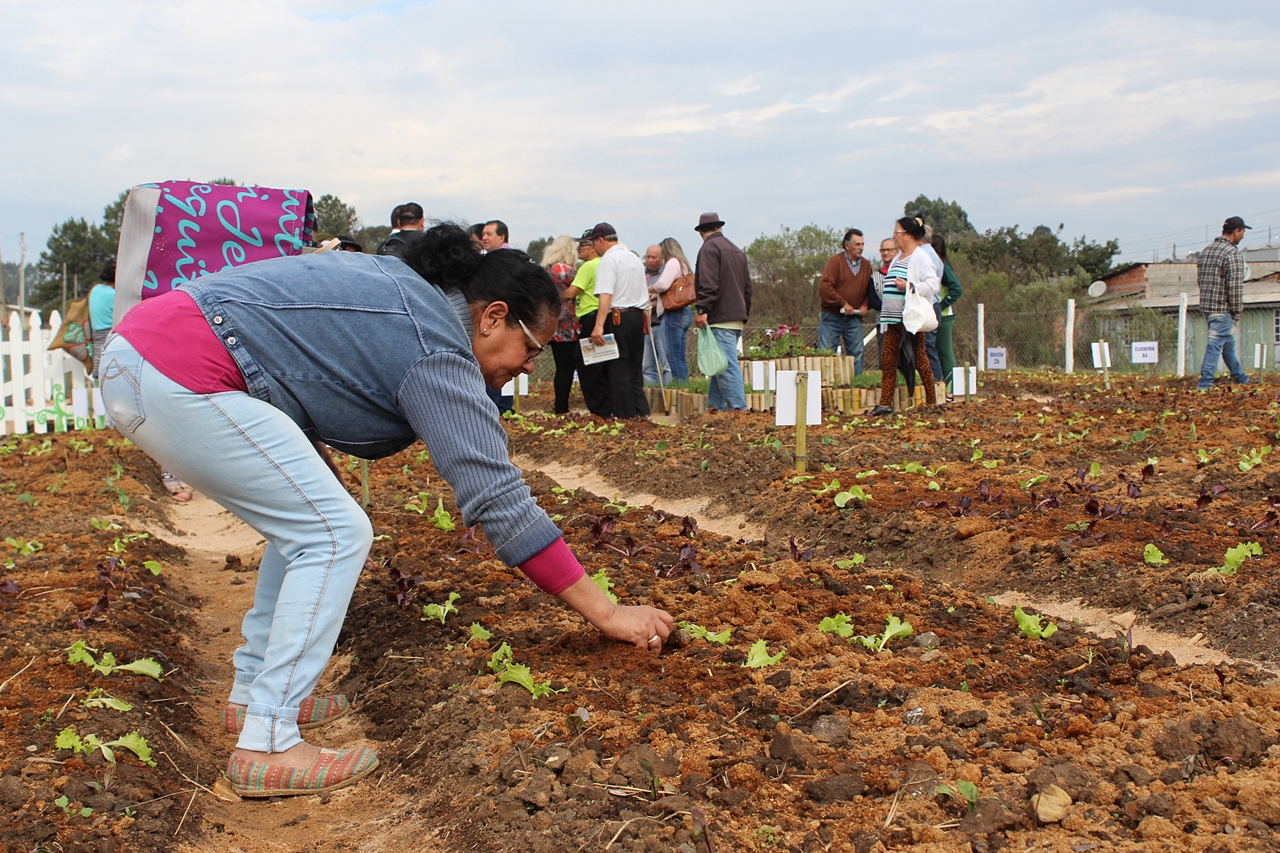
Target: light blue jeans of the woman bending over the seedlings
[(252, 459)]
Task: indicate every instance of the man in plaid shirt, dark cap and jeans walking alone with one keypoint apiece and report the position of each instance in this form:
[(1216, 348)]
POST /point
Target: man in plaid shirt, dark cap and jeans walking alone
[(1220, 273)]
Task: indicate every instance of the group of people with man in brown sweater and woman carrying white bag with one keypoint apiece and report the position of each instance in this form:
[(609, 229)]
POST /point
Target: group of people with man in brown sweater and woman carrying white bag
[(913, 259)]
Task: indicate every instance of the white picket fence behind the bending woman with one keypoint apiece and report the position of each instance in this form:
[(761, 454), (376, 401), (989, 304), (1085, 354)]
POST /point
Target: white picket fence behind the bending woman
[(35, 381)]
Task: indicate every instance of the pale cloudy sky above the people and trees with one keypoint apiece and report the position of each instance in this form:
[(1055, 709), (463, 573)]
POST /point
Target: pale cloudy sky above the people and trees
[(1149, 122)]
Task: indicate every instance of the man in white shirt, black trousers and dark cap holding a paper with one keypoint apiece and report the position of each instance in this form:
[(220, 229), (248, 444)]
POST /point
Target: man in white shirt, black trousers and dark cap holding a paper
[(620, 285)]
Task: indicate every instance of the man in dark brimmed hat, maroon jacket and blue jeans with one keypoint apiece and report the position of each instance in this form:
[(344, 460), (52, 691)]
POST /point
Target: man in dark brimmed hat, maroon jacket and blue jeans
[(724, 288)]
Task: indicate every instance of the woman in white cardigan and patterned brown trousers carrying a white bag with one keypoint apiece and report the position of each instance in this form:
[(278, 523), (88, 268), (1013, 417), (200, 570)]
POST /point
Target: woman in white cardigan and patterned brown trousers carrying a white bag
[(911, 270)]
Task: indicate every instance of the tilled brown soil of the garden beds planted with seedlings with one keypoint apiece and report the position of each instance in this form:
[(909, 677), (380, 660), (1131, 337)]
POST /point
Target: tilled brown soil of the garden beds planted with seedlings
[(966, 735)]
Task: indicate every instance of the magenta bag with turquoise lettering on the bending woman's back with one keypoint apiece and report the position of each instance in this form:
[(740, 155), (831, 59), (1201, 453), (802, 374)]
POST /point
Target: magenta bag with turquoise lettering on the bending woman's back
[(179, 231)]
